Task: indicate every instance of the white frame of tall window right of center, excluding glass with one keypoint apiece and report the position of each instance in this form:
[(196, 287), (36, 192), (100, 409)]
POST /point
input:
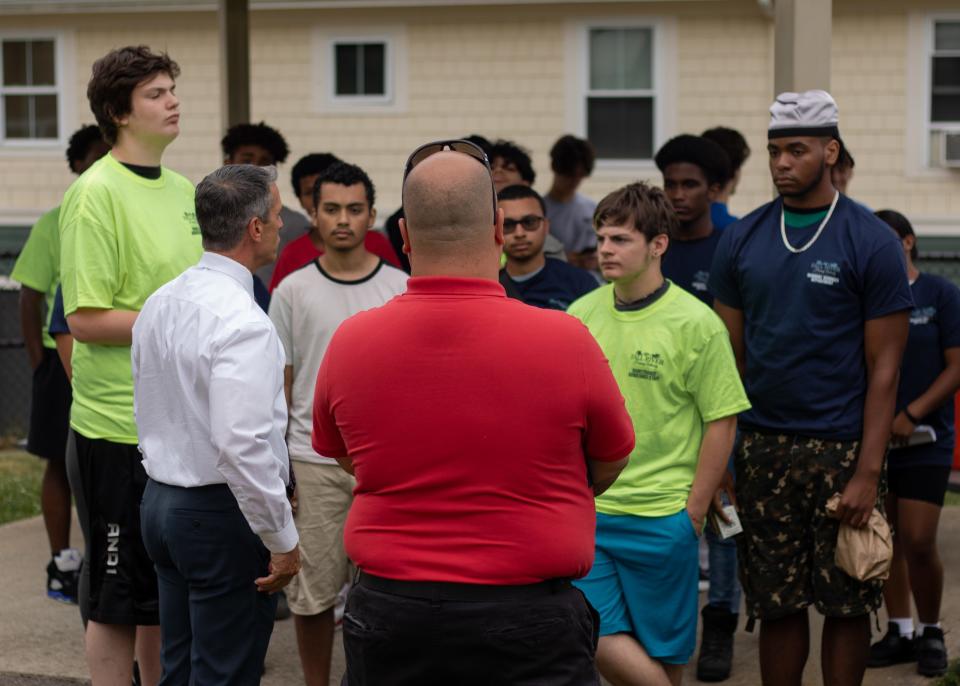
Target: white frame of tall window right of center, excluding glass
[(663, 88)]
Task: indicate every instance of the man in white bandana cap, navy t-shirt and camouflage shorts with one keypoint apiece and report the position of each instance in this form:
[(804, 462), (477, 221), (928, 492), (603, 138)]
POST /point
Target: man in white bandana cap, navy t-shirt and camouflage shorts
[(813, 289)]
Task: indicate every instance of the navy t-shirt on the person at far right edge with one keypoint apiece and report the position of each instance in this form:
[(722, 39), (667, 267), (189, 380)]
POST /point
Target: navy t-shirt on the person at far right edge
[(934, 327)]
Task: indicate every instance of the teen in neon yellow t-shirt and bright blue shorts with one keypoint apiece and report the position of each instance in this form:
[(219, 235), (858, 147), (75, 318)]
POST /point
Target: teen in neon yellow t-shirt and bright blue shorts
[(673, 361)]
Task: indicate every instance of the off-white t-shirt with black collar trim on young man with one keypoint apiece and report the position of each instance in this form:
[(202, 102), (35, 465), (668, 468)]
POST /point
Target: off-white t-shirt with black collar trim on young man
[(306, 309)]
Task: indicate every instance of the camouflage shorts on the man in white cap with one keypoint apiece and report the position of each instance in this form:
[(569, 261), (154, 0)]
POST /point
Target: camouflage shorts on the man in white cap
[(788, 543)]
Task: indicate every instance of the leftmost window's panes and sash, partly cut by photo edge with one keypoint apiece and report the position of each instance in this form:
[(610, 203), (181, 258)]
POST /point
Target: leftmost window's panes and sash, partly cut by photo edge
[(29, 89)]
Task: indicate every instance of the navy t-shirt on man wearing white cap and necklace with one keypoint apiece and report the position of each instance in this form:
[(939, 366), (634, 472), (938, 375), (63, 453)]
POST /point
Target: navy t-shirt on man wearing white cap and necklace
[(804, 314)]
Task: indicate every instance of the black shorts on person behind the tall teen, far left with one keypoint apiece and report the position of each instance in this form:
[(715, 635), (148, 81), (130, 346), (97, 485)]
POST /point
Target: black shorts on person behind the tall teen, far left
[(49, 408)]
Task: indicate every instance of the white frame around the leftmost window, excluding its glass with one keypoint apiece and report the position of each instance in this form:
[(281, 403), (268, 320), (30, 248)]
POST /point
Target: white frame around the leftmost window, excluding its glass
[(63, 79)]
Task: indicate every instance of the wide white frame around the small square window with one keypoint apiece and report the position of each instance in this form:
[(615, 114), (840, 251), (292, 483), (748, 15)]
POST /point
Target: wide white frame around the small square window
[(325, 98)]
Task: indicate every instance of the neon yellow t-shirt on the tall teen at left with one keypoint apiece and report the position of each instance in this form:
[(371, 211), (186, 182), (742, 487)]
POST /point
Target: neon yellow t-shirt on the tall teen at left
[(122, 237)]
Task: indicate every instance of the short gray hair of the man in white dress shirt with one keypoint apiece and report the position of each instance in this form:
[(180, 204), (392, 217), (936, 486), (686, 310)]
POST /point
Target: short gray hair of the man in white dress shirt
[(228, 198)]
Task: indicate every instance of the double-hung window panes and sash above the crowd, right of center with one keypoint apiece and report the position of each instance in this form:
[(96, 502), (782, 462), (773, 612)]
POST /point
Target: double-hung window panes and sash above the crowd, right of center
[(621, 92)]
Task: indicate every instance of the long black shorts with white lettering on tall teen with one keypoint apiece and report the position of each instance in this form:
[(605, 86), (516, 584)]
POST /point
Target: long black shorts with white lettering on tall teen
[(123, 582)]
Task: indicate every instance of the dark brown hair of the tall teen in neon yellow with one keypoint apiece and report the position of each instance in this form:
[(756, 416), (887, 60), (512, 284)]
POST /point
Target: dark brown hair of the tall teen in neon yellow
[(115, 75)]
